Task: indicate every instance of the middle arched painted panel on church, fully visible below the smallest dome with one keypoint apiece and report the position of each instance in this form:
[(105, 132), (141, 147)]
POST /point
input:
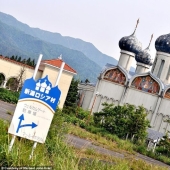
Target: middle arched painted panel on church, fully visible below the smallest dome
[(147, 84)]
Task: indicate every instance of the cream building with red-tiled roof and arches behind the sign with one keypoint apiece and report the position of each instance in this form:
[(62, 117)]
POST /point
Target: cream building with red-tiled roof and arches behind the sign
[(11, 69)]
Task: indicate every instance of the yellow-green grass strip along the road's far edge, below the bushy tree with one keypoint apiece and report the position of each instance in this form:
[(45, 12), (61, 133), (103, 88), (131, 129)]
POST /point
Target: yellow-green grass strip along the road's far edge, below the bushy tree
[(114, 143)]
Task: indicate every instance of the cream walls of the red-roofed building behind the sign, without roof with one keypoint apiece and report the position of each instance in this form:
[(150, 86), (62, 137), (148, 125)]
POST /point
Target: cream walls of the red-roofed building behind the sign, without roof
[(12, 69)]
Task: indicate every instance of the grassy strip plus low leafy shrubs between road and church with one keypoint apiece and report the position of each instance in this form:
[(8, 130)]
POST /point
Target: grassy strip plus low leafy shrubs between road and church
[(100, 136)]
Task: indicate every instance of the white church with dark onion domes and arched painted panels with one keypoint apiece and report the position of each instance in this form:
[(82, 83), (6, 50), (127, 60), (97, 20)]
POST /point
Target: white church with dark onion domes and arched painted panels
[(148, 88)]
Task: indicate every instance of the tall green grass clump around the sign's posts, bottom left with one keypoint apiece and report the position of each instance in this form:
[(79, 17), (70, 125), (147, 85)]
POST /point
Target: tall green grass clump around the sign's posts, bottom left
[(53, 153)]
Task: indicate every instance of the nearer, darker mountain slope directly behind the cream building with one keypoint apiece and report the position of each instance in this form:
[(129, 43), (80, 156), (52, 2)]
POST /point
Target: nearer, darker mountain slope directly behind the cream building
[(16, 42)]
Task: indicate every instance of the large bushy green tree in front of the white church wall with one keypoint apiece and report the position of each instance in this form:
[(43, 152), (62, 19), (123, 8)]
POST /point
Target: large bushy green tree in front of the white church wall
[(123, 120)]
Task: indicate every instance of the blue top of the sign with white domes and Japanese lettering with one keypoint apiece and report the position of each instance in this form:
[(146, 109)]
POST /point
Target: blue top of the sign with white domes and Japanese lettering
[(41, 90)]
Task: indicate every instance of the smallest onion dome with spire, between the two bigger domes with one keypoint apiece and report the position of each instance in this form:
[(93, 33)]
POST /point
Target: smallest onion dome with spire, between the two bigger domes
[(144, 56)]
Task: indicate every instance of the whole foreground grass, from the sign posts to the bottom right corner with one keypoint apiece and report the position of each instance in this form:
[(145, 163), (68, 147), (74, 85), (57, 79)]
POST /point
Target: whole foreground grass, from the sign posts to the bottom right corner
[(57, 154)]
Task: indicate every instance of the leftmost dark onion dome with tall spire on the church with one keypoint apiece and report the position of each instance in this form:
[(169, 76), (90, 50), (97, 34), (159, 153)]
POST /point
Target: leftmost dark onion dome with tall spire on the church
[(130, 43)]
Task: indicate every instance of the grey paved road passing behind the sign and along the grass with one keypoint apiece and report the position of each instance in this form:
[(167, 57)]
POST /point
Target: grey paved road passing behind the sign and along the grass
[(78, 142)]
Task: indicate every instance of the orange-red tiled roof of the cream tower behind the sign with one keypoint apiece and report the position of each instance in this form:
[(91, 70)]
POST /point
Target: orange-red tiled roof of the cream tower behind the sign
[(57, 63)]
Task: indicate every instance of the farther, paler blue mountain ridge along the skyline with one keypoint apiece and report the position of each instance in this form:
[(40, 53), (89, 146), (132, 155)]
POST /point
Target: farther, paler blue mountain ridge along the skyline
[(86, 48)]
